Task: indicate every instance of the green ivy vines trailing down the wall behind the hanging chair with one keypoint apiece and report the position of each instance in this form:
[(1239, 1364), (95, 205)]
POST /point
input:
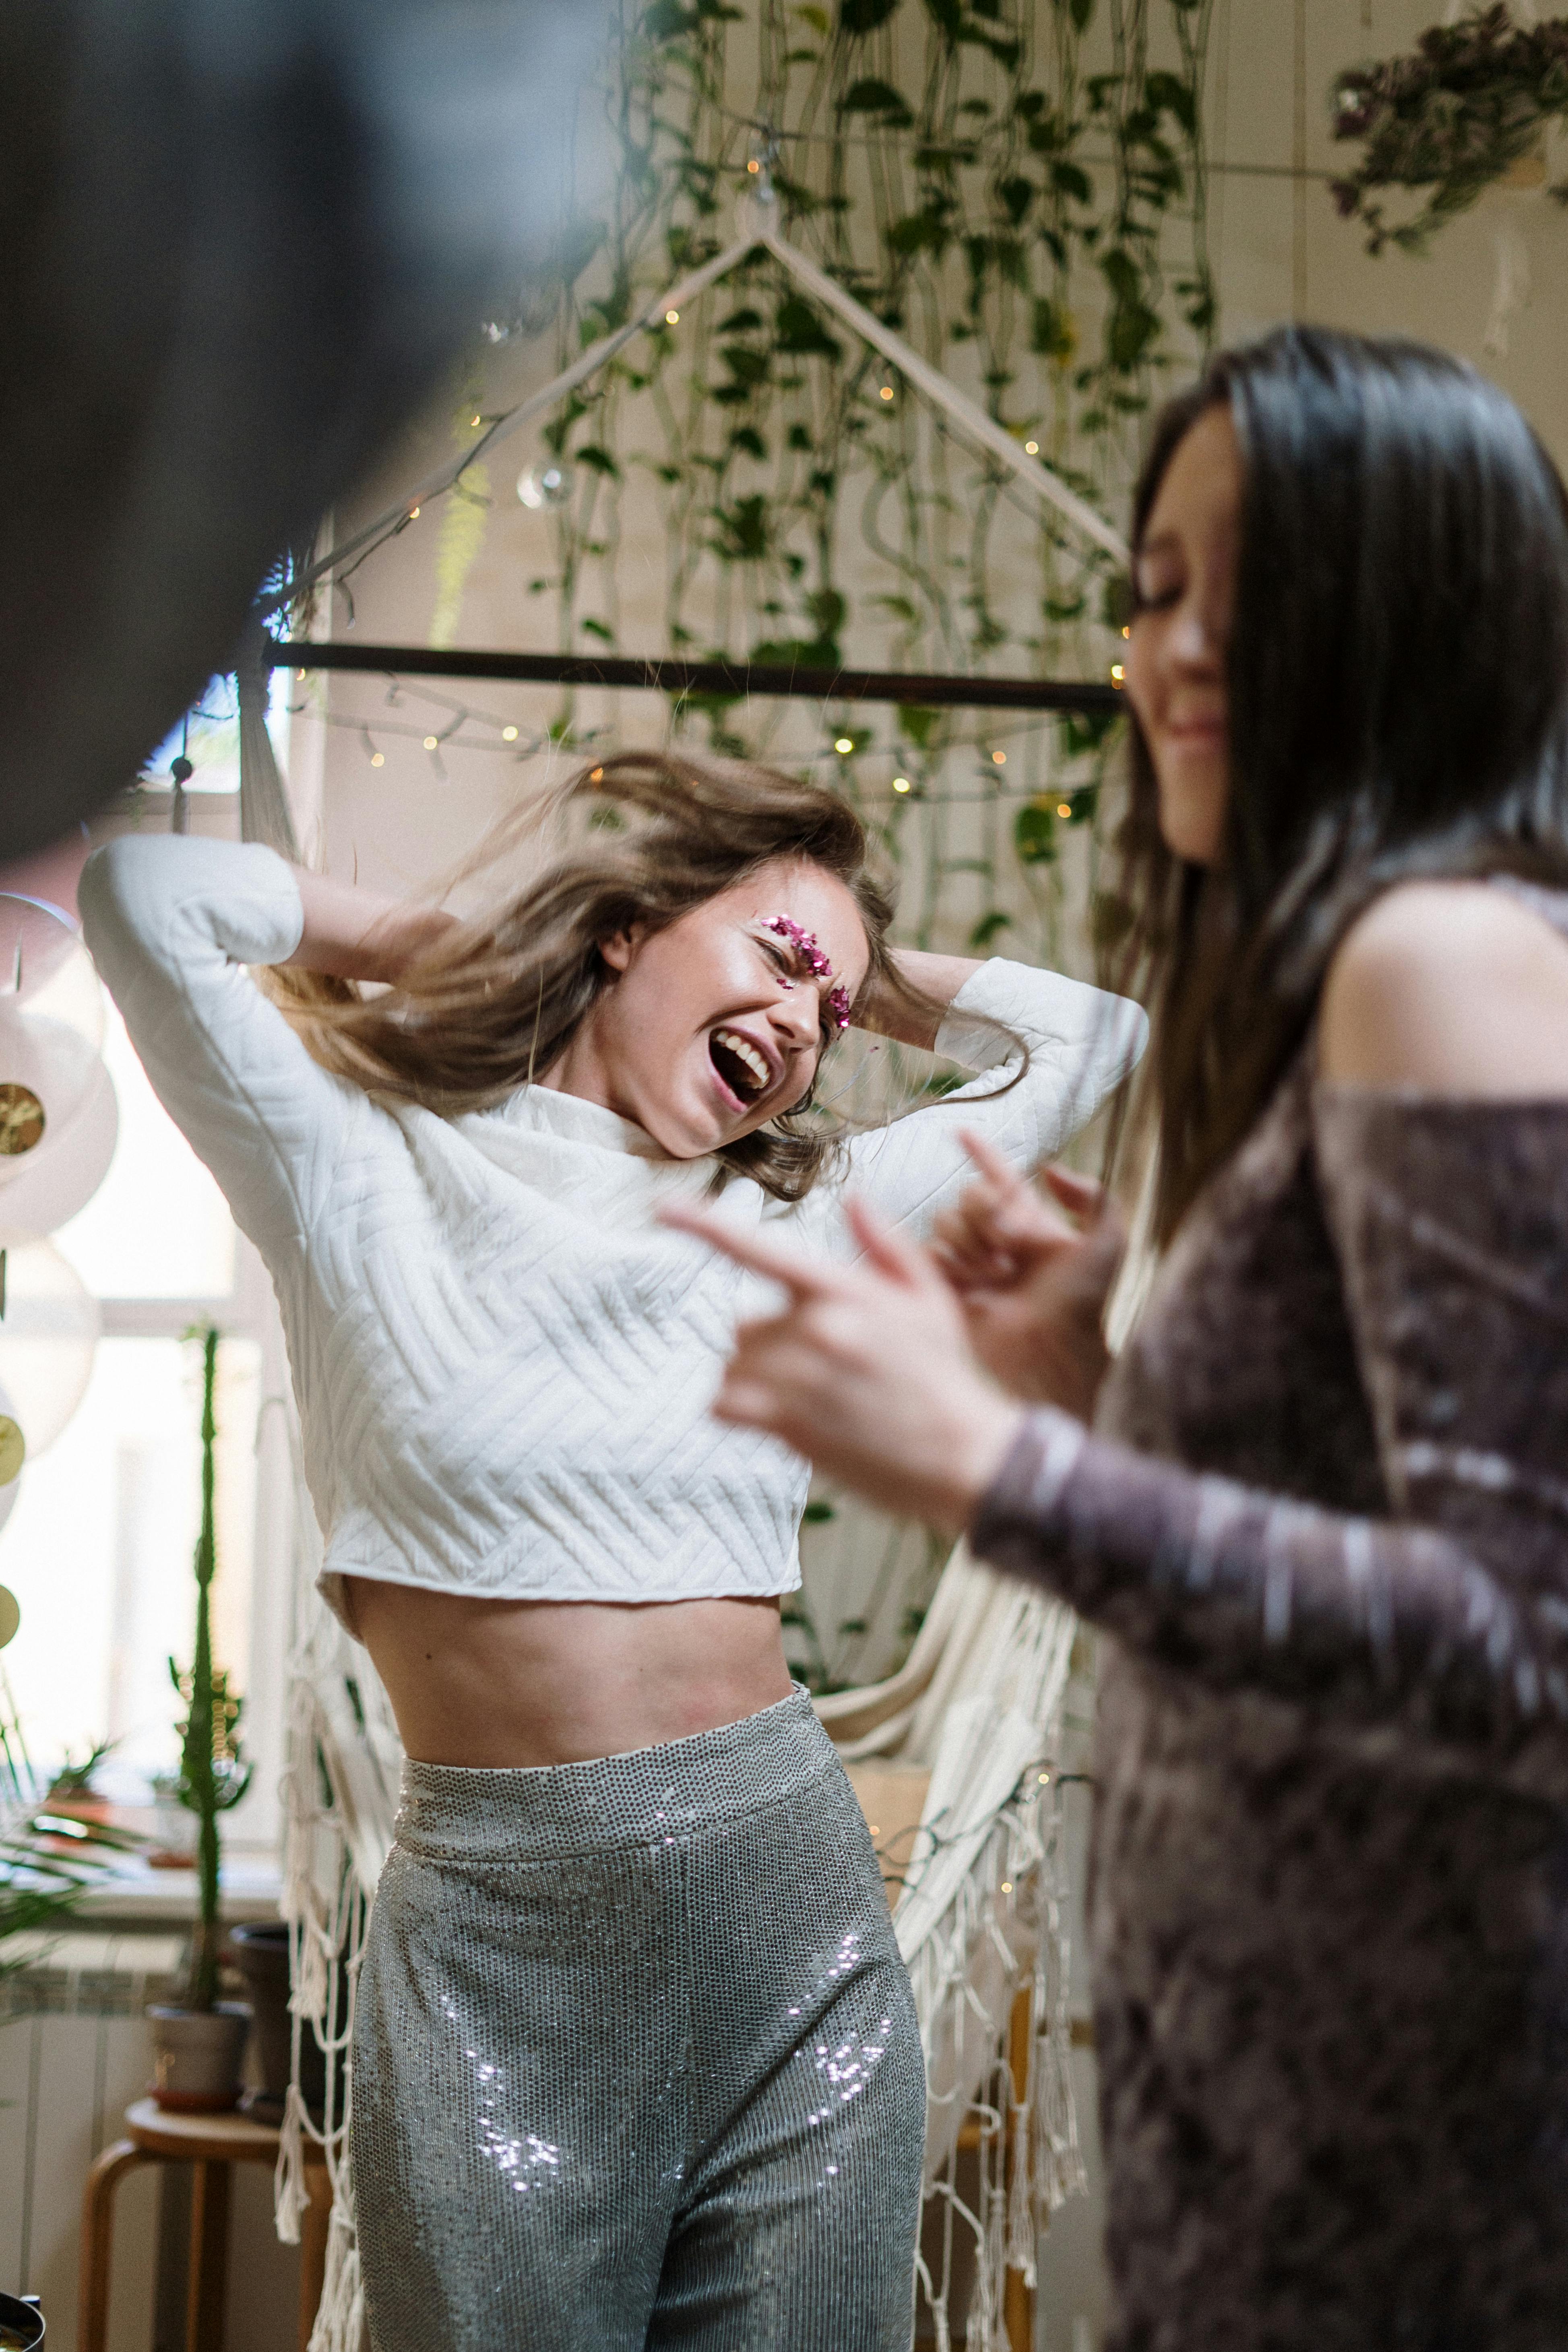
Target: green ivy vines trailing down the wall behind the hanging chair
[(1019, 189)]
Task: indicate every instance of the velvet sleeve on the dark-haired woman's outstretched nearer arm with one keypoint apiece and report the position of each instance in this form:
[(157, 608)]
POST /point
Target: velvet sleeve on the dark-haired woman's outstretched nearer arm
[(1447, 1622)]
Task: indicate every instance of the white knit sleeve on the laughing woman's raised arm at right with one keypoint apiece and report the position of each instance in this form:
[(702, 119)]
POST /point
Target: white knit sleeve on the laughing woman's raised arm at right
[(1080, 1041)]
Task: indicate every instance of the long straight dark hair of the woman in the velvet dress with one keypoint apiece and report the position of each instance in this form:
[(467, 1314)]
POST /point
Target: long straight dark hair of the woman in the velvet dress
[(1398, 704)]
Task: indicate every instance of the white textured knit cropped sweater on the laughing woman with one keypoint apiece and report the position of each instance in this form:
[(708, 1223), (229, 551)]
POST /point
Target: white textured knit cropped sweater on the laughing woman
[(502, 1363)]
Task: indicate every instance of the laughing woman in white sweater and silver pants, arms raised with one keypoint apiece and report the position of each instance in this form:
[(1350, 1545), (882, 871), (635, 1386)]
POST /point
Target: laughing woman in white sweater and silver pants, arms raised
[(636, 2059)]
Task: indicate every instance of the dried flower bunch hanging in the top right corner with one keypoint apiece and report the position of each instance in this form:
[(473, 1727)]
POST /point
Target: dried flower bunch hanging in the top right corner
[(1454, 116)]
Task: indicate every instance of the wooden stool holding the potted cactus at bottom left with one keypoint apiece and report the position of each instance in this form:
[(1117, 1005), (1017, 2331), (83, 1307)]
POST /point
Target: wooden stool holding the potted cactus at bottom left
[(210, 2144)]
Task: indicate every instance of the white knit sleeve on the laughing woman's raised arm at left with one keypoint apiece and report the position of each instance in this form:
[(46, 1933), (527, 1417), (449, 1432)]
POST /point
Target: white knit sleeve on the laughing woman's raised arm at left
[(170, 923)]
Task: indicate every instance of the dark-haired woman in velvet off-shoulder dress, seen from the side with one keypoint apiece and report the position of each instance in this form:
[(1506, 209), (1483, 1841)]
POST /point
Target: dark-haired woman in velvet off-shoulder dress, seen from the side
[(1325, 1511)]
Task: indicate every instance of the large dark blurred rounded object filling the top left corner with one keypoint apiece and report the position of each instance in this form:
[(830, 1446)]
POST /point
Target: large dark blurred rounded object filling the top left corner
[(239, 241)]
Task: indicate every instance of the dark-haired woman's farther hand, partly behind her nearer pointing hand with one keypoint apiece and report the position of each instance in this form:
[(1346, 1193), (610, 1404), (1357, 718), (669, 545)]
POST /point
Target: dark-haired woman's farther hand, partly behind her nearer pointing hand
[(1031, 1281)]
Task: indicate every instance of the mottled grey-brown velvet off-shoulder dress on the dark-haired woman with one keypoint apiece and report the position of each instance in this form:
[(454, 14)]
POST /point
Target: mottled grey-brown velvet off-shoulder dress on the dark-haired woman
[(1325, 1525)]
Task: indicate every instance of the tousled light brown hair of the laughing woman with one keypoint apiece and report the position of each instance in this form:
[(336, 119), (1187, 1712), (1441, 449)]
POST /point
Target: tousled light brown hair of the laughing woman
[(631, 841)]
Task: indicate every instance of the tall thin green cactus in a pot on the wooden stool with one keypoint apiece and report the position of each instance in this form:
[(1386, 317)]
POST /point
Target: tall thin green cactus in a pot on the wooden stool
[(199, 2043)]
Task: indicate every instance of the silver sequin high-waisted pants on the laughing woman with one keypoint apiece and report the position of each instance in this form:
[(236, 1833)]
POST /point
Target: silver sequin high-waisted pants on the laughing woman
[(636, 2059)]
